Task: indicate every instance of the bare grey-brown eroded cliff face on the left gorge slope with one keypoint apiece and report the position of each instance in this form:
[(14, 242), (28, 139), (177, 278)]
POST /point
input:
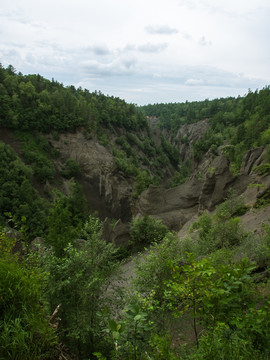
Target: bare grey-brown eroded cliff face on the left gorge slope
[(106, 189)]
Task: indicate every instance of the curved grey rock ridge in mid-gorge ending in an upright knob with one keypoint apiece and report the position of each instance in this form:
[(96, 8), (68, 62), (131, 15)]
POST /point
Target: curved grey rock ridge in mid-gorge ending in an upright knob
[(175, 206)]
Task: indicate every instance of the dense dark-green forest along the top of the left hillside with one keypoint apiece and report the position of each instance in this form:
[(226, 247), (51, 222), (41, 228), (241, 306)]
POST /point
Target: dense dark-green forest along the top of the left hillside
[(31, 102)]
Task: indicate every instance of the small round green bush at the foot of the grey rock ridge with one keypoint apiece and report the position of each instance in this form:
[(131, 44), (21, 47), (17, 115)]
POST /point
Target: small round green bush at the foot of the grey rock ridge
[(147, 230)]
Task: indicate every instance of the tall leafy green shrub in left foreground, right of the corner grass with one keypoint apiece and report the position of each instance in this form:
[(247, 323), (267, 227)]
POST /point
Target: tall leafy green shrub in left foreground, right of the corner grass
[(79, 280)]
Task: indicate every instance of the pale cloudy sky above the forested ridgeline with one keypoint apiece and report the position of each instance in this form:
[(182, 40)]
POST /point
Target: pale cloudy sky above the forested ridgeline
[(143, 51)]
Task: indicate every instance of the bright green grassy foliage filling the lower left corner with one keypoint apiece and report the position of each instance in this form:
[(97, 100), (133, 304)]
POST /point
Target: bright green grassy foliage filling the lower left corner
[(24, 330)]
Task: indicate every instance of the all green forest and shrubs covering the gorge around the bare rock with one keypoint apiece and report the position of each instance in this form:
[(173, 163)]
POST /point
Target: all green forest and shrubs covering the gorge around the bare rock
[(63, 291)]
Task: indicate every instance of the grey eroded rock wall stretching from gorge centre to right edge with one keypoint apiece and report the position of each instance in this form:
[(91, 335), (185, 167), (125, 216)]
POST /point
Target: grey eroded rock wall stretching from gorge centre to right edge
[(178, 205)]
